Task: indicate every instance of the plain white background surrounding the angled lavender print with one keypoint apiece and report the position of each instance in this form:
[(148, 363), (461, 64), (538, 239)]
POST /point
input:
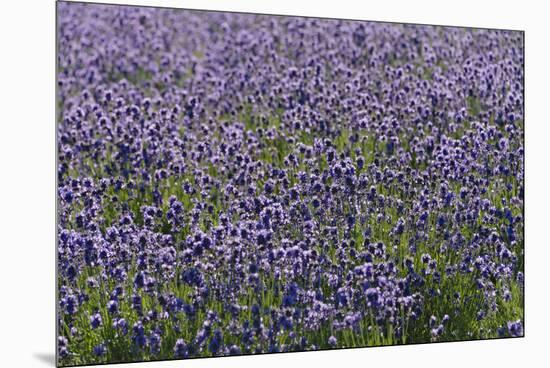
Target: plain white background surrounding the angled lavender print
[(27, 189)]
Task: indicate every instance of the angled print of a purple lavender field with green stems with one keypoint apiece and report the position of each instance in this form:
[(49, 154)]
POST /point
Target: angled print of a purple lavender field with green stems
[(242, 184)]
